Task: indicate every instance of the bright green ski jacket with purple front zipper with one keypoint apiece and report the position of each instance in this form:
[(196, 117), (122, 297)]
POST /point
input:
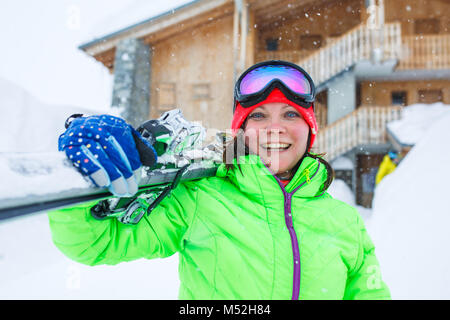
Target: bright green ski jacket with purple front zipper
[(240, 235)]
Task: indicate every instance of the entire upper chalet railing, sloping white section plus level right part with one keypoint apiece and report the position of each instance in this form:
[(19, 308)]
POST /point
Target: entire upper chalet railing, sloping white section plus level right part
[(417, 52)]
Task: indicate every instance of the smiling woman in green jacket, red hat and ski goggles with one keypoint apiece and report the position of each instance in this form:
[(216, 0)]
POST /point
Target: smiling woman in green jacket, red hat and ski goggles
[(264, 227)]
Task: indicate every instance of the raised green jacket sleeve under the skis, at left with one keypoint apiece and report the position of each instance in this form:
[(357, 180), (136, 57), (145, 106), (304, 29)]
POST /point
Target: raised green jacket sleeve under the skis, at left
[(89, 241)]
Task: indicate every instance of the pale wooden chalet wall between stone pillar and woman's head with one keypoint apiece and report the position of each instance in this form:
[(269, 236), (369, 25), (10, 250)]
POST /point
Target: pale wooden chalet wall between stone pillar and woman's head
[(194, 72)]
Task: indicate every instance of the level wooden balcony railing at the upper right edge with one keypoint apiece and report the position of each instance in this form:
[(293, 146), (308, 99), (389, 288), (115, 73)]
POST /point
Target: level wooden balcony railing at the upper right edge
[(425, 52)]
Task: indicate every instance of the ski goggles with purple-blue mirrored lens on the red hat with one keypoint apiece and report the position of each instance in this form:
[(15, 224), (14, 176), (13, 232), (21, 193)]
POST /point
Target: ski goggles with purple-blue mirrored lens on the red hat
[(255, 84)]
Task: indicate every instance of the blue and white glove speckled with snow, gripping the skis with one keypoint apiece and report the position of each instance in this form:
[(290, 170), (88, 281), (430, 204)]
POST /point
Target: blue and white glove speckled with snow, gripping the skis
[(108, 150)]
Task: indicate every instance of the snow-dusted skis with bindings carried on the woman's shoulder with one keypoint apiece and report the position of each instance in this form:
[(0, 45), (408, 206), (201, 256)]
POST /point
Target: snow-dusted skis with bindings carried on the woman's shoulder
[(45, 181)]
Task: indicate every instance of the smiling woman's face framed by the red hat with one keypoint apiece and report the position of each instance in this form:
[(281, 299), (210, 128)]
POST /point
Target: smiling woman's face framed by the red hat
[(278, 134)]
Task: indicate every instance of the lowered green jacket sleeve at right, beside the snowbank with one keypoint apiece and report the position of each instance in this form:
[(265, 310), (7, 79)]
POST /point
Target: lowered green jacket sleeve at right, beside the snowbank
[(364, 281)]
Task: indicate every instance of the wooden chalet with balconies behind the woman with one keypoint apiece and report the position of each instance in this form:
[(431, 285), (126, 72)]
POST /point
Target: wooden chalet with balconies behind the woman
[(368, 58)]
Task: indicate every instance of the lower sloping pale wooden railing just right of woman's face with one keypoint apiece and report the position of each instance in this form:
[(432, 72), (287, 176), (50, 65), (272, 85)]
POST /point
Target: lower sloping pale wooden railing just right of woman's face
[(365, 125)]
